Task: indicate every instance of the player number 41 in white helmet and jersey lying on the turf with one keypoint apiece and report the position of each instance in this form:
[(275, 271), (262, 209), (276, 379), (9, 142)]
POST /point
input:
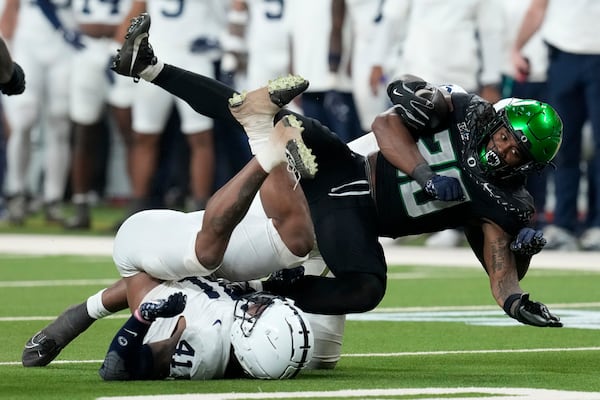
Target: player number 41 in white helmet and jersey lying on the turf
[(199, 330)]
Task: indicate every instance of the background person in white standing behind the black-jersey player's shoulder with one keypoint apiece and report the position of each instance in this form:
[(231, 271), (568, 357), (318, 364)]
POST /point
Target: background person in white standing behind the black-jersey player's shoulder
[(458, 42)]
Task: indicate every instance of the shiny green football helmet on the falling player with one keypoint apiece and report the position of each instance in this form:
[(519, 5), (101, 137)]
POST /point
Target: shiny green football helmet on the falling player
[(537, 129)]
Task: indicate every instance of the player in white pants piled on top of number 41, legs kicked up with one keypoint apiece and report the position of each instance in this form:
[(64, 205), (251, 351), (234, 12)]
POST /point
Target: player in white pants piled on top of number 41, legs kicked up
[(168, 245)]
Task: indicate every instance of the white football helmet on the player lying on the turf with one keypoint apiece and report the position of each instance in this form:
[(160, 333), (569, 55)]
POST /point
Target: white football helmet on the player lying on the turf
[(271, 337)]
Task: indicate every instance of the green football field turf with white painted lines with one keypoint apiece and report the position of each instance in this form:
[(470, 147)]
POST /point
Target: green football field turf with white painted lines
[(437, 334)]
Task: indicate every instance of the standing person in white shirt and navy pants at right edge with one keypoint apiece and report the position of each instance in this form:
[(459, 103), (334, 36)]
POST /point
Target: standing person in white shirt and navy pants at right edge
[(569, 29)]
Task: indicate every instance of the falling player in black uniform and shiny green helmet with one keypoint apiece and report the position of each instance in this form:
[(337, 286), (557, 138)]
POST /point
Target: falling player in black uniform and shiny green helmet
[(442, 161)]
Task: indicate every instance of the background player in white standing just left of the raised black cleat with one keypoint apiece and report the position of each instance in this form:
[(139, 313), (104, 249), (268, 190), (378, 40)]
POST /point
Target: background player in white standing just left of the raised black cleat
[(93, 86)]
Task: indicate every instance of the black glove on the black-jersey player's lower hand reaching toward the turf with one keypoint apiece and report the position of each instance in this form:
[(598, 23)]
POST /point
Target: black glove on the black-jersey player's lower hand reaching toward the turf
[(530, 312)]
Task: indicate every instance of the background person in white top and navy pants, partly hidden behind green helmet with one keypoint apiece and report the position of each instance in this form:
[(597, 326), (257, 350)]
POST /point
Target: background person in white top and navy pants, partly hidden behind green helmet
[(530, 84)]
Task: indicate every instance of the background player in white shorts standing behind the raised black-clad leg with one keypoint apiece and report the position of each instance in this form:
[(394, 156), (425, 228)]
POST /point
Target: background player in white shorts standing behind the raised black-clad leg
[(188, 32)]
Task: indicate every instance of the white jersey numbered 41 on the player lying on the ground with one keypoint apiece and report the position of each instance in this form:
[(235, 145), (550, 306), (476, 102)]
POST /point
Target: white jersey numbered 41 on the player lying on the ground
[(204, 348)]
